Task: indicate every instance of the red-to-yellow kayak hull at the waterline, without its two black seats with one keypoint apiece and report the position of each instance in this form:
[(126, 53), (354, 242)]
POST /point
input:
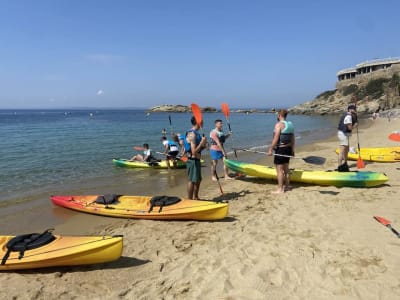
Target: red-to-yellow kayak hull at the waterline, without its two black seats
[(137, 207)]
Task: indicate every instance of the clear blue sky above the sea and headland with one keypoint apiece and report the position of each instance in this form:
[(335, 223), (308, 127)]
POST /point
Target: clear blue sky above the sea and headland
[(81, 53)]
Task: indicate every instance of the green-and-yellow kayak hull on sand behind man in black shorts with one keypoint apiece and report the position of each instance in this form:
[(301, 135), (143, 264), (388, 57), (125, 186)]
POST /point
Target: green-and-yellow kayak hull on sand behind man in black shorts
[(330, 178)]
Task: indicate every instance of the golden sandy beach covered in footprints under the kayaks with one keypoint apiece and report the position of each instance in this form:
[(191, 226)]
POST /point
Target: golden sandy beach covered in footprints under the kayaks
[(312, 242)]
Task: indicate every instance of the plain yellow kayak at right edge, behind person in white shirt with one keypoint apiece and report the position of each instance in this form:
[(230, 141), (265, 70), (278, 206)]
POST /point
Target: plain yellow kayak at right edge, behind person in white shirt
[(380, 154)]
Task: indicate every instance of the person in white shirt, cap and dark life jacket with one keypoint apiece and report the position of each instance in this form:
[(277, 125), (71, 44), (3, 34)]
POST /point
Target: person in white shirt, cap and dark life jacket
[(347, 122)]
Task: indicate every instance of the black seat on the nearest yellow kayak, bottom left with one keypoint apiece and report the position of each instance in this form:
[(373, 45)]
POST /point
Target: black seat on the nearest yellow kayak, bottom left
[(25, 242)]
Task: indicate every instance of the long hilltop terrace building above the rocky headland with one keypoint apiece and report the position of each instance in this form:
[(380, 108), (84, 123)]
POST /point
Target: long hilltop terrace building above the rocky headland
[(368, 67)]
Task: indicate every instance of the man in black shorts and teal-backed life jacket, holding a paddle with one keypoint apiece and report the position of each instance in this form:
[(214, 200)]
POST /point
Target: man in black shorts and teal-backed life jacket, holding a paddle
[(283, 143)]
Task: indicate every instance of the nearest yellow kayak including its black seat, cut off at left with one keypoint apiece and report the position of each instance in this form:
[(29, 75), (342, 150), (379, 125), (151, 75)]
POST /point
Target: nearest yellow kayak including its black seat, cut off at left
[(48, 250)]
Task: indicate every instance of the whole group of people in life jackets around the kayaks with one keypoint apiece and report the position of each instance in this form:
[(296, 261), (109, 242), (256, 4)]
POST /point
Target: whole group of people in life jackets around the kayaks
[(282, 148)]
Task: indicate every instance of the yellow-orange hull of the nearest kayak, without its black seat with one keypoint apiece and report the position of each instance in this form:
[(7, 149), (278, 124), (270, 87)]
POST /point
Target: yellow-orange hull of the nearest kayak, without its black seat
[(64, 251)]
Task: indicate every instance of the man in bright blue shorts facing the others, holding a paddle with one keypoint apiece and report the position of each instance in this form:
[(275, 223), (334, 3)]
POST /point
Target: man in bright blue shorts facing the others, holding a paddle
[(217, 150)]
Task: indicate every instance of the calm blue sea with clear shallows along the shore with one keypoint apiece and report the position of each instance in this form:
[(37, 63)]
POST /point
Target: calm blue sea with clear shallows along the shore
[(45, 152)]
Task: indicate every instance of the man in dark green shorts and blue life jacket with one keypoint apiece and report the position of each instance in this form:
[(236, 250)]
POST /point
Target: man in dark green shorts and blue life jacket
[(194, 144)]
